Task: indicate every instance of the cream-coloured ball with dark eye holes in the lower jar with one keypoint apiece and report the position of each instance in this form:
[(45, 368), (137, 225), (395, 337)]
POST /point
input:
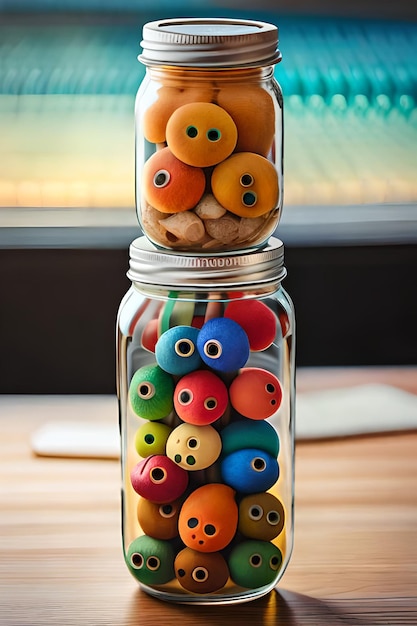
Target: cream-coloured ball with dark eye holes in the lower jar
[(194, 447)]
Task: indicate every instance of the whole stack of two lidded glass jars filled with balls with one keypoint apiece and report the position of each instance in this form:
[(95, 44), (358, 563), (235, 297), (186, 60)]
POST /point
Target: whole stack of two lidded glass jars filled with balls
[(205, 334)]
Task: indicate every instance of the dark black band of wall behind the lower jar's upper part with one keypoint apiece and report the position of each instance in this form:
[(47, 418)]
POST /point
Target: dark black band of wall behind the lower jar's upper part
[(354, 306)]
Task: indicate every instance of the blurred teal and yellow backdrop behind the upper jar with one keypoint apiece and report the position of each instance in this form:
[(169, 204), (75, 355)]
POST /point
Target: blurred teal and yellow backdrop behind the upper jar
[(69, 74)]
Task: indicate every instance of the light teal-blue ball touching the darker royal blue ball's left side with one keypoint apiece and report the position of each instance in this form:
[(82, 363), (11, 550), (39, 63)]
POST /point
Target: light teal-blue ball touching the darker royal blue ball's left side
[(176, 350)]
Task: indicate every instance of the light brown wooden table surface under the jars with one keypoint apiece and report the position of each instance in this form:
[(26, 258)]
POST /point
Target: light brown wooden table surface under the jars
[(354, 560)]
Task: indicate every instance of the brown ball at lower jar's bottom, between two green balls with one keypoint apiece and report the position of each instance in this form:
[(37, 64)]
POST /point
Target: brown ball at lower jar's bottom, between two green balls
[(201, 572)]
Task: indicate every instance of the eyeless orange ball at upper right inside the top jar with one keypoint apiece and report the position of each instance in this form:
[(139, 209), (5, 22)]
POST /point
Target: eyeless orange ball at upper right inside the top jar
[(253, 112)]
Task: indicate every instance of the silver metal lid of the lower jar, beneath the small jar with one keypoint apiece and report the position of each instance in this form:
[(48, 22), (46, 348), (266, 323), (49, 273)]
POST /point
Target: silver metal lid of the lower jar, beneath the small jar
[(170, 270)]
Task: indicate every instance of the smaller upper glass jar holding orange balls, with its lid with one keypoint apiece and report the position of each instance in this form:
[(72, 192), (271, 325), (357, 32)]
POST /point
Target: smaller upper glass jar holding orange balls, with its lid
[(209, 145)]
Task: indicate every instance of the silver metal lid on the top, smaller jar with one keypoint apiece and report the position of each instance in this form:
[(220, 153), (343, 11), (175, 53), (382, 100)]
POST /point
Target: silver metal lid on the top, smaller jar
[(216, 42)]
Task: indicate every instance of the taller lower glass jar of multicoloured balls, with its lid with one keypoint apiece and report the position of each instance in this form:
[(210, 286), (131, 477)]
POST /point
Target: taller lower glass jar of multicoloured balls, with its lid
[(205, 382)]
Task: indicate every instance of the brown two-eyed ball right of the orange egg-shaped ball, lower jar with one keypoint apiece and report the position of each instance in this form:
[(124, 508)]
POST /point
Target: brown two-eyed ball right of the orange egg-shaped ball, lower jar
[(261, 516)]
